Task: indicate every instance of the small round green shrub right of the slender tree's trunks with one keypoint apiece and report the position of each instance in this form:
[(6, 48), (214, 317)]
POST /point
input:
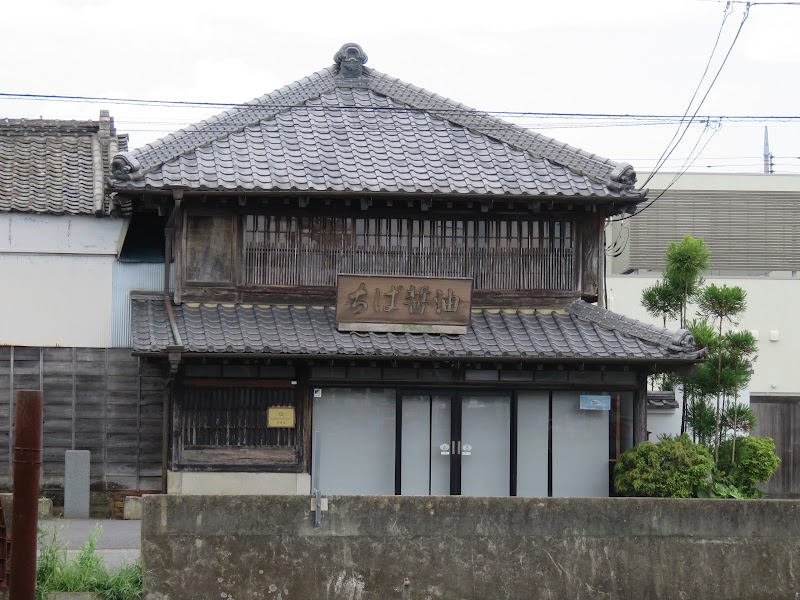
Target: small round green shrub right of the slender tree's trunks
[(755, 462)]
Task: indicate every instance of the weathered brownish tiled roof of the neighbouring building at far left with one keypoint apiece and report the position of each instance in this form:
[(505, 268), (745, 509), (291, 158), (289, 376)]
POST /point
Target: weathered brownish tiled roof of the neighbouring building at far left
[(56, 167)]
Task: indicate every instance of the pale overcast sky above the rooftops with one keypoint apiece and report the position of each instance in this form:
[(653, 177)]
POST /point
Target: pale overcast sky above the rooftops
[(579, 56)]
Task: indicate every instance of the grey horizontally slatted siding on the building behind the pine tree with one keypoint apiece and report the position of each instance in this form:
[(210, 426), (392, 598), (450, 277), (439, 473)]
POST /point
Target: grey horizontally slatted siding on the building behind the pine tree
[(745, 230)]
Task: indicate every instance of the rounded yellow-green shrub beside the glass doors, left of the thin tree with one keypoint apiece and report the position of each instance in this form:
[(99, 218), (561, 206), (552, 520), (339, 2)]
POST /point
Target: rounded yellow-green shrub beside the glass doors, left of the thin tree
[(673, 468)]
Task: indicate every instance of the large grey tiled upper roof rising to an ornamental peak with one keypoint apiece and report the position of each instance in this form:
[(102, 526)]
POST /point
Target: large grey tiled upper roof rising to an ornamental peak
[(373, 133)]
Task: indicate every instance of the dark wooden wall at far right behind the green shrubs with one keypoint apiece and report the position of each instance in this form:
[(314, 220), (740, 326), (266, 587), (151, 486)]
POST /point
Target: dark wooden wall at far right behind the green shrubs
[(779, 418)]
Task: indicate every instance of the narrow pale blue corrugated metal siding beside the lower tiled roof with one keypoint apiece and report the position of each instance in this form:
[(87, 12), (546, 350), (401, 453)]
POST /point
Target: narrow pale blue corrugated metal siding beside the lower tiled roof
[(129, 277)]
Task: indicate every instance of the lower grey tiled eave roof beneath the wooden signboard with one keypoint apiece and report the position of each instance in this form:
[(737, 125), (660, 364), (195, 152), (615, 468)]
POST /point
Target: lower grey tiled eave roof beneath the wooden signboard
[(583, 332)]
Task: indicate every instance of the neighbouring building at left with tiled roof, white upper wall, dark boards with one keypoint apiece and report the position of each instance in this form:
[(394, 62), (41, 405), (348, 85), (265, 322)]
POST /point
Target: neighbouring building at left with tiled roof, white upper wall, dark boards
[(66, 277)]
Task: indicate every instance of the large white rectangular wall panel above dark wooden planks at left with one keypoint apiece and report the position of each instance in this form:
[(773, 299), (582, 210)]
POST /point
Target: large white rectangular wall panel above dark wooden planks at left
[(55, 300)]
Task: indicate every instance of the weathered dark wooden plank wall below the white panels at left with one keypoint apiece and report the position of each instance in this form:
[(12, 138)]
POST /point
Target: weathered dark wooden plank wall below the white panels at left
[(103, 400)]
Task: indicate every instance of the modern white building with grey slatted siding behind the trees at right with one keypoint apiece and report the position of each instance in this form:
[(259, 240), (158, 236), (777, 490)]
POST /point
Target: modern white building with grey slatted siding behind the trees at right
[(751, 223)]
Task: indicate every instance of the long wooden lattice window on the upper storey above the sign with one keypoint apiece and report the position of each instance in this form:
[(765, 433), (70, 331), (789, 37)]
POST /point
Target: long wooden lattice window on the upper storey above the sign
[(496, 253)]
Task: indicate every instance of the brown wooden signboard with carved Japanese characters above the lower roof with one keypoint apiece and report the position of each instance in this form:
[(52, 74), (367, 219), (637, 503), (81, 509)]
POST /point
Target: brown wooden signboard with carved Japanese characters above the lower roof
[(395, 303)]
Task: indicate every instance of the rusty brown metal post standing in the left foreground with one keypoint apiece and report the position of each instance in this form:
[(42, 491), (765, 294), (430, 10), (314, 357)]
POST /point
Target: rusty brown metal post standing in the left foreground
[(25, 509)]
